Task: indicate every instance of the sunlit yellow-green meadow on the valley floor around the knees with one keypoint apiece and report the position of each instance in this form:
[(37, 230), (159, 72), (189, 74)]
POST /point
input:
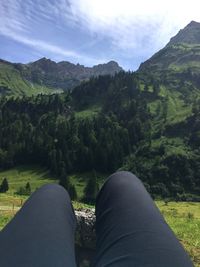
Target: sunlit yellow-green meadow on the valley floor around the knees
[(183, 218)]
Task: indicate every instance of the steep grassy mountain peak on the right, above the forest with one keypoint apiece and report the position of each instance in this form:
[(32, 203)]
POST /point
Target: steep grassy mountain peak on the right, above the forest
[(175, 74)]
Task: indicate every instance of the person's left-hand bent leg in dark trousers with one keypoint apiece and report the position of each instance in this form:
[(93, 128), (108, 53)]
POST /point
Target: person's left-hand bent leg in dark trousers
[(42, 232)]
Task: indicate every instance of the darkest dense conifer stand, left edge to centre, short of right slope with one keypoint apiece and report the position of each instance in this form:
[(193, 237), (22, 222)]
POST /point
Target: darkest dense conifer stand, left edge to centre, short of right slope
[(45, 129)]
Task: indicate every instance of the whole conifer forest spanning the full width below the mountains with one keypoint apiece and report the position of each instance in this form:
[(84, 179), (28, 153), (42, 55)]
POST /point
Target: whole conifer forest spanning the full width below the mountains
[(104, 125)]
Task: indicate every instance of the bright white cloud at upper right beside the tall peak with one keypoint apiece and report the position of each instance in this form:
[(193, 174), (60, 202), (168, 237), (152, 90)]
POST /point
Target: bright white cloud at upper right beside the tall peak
[(131, 24)]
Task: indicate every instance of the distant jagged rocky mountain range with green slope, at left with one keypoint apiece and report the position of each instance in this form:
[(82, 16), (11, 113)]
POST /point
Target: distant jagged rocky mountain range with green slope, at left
[(47, 76)]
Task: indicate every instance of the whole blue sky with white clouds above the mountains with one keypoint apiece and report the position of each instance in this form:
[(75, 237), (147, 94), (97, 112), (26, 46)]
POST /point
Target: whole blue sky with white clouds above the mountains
[(90, 32)]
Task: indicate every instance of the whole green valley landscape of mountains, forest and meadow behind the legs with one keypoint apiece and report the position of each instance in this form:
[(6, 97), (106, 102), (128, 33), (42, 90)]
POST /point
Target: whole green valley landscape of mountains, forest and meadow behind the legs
[(75, 125)]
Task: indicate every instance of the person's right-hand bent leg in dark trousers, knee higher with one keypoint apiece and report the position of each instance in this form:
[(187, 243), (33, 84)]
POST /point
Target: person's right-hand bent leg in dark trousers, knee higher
[(130, 229)]
